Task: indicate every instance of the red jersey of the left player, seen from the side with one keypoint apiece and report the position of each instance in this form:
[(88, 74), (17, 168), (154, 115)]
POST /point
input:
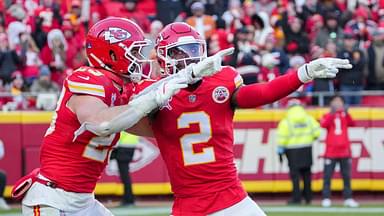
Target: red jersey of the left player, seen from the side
[(69, 159)]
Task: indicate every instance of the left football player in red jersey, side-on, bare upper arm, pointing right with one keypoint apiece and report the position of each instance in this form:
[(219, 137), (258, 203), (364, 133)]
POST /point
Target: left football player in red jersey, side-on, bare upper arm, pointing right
[(89, 116)]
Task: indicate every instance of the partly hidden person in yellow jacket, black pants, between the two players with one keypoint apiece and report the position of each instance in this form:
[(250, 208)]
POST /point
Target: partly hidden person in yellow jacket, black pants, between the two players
[(123, 154)]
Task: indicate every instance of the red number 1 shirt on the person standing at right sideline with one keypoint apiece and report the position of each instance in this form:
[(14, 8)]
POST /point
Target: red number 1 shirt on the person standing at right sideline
[(337, 140)]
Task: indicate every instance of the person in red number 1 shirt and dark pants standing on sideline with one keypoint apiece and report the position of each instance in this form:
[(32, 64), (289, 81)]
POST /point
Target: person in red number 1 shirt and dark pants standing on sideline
[(338, 150)]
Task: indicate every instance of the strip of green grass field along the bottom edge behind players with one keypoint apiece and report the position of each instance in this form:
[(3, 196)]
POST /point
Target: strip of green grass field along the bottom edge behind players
[(370, 210)]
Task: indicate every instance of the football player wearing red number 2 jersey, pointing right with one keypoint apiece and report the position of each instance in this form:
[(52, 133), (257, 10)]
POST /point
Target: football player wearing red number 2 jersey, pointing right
[(194, 131)]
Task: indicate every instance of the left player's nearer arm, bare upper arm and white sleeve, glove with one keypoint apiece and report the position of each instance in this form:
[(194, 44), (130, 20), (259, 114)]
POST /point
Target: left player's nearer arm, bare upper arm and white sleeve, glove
[(96, 117)]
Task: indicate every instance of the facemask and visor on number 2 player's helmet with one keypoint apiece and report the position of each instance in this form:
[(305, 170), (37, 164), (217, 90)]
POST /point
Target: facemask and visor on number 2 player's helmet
[(179, 55)]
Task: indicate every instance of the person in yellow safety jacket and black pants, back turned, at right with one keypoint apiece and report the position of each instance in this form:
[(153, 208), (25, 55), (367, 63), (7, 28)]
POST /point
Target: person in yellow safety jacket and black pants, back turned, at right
[(295, 135)]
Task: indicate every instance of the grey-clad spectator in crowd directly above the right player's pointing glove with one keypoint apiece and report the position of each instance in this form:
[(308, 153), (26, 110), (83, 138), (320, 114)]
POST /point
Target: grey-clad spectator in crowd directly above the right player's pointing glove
[(330, 32)]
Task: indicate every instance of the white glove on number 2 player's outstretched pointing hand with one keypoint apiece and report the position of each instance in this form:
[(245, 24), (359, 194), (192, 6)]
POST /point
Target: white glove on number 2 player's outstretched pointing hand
[(322, 68)]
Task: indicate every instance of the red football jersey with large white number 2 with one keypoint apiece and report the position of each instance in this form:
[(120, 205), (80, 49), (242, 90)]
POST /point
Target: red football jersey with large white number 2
[(194, 133)]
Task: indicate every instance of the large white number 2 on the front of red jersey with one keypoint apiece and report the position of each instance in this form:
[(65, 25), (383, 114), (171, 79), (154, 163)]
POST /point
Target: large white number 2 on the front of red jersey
[(189, 140)]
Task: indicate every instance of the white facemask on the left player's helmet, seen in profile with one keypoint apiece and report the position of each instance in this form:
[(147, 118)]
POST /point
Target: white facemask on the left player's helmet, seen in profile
[(138, 61)]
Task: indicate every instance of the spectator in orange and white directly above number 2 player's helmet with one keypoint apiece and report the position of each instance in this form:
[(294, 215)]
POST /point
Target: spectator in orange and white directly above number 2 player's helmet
[(204, 24)]
